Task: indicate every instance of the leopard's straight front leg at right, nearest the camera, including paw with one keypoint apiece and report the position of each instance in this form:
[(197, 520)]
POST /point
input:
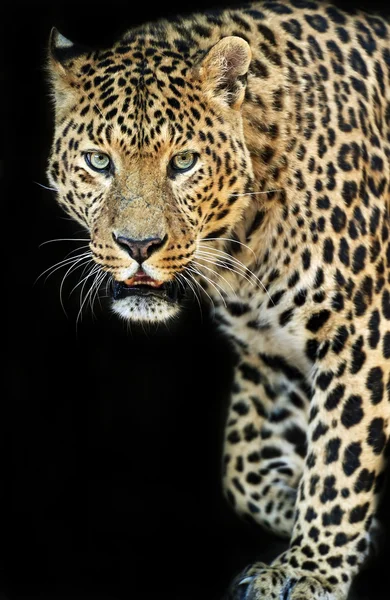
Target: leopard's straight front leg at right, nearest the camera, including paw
[(343, 474)]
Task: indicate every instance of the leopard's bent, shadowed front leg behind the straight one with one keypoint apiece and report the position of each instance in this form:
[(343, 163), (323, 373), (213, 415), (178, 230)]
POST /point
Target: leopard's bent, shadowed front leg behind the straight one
[(265, 443)]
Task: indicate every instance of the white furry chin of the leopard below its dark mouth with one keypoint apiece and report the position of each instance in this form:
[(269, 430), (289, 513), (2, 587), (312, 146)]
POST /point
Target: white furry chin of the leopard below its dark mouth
[(144, 309)]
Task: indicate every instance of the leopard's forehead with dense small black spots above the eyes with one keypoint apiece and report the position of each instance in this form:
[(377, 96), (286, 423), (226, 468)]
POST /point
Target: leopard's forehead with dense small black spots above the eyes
[(144, 92)]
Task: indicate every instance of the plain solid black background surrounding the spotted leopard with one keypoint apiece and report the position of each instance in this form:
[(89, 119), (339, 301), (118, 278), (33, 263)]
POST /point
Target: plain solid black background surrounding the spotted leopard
[(113, 433)]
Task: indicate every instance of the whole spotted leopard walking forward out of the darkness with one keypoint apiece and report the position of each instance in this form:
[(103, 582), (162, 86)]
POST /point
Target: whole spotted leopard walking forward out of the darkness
[(240, 158)]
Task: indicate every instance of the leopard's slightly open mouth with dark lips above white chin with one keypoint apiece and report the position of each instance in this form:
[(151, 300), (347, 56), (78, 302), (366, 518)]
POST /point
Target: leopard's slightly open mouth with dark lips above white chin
[(142, 285)]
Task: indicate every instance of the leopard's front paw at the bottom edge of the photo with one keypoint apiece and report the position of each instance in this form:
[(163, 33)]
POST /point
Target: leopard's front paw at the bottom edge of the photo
[(264, 582)]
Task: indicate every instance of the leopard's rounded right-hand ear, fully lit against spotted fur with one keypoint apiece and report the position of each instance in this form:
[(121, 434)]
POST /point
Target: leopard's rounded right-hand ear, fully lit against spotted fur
[(223, 70)]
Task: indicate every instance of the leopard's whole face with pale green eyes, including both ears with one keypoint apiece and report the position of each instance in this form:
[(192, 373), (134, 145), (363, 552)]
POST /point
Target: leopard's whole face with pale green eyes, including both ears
[(149, 155)]
